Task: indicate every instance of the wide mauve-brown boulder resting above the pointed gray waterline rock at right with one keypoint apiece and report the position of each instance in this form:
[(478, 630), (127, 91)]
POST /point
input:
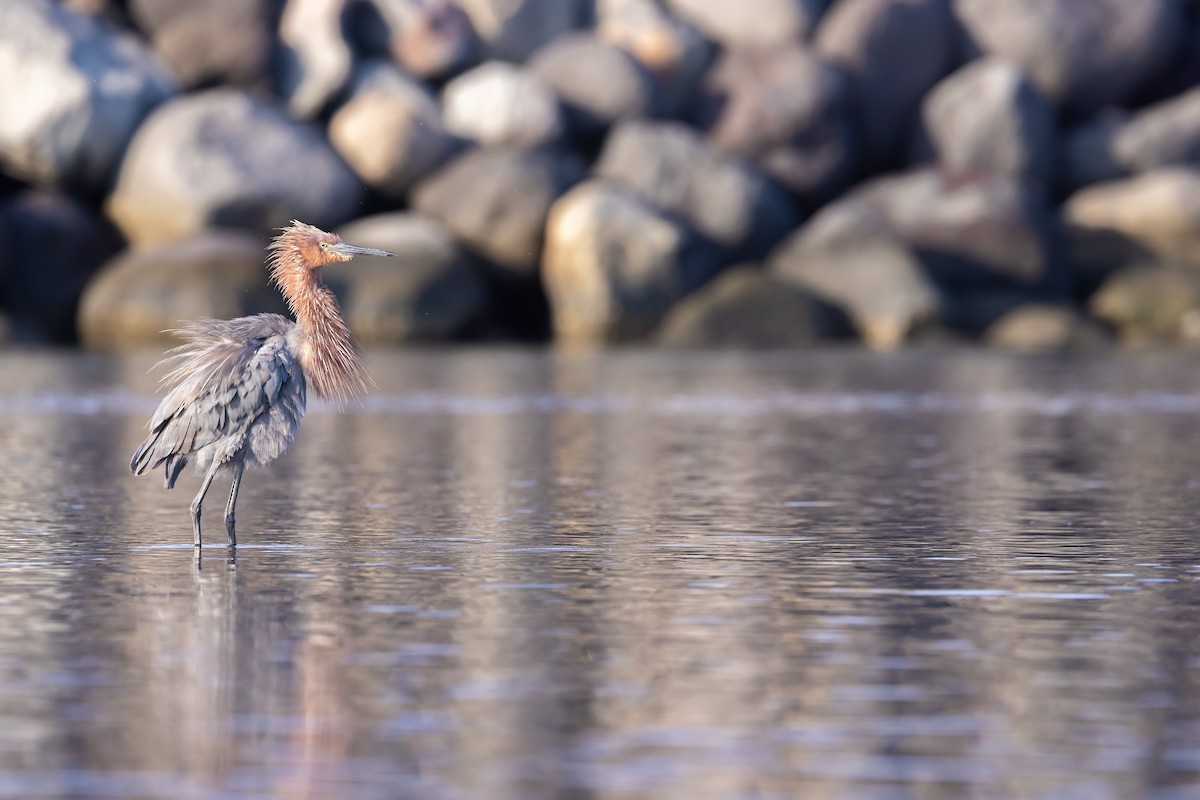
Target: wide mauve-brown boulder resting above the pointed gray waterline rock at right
[(970, 230)]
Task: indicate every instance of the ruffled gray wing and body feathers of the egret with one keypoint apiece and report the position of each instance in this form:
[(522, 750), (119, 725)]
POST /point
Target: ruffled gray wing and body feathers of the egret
[(224, 377)]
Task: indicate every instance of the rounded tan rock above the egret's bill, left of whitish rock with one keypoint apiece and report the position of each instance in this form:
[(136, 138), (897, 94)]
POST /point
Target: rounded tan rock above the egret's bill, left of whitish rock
[(391, 130)]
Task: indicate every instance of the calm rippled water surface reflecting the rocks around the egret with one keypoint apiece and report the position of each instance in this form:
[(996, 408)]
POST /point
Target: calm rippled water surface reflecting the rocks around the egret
[(511, 575)]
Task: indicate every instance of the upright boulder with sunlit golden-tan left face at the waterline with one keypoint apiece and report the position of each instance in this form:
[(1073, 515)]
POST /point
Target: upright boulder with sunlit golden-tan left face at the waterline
[(614, 266)]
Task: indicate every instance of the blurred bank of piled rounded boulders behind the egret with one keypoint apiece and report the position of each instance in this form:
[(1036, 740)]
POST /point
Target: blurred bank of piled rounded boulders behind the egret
[(751, 173)]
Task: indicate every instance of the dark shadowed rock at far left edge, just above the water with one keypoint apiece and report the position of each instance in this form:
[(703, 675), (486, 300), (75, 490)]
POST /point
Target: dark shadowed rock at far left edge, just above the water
[(52, 245)]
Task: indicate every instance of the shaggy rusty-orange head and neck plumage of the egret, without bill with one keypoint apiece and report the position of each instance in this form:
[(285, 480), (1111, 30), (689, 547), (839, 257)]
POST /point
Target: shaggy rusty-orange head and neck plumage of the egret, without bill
[(327, 350)]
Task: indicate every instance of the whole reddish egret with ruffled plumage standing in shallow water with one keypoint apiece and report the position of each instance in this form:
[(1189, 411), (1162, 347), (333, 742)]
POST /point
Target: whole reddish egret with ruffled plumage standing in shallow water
[(237, 388)]
